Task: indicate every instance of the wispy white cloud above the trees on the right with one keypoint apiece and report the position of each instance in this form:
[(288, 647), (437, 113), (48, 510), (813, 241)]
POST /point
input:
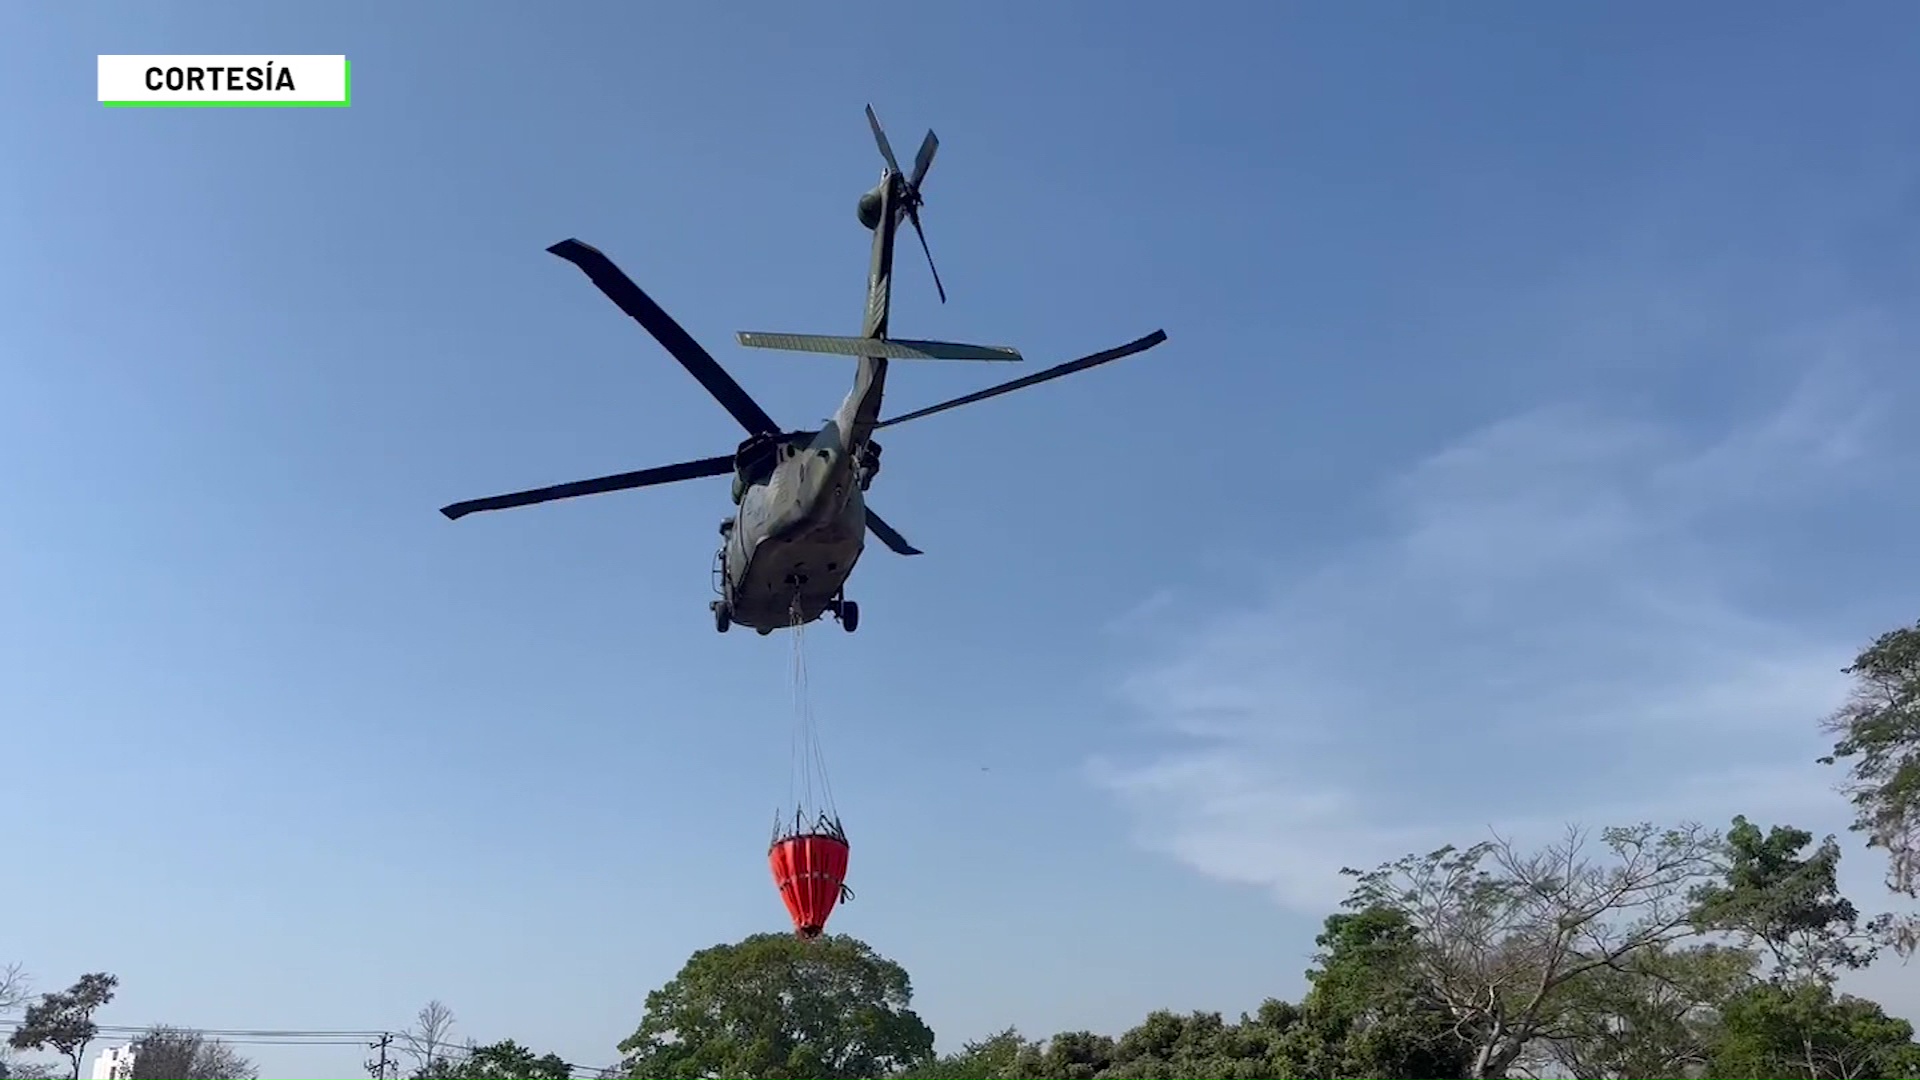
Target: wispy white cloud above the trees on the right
[(1564, 616)]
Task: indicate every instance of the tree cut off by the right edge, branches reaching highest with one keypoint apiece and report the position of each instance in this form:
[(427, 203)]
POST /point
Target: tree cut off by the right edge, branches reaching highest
[(1879, 733)]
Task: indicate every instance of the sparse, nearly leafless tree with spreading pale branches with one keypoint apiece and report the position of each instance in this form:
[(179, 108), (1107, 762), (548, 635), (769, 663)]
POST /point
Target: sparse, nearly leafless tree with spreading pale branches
[(1502, 950)]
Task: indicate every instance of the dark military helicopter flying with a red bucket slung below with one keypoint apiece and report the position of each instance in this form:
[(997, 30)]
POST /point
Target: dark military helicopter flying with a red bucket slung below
[(802, 495)]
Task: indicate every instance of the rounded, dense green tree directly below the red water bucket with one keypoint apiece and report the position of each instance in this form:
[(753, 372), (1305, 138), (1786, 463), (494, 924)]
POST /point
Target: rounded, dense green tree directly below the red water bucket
[(777, 1008)]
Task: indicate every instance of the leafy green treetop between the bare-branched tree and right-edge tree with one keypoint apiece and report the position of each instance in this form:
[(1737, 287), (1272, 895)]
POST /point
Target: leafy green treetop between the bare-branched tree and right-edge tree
[(1788, 904)]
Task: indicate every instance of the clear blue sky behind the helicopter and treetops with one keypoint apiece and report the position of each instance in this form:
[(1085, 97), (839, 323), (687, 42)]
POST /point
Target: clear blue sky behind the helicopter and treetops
[(1529, 449)]
